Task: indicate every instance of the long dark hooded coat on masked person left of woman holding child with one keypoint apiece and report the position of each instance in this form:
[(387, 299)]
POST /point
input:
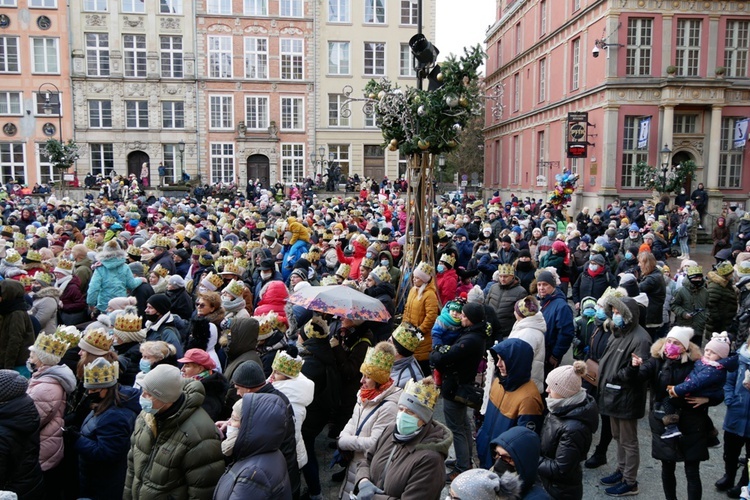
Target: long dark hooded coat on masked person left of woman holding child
[(619, 395)]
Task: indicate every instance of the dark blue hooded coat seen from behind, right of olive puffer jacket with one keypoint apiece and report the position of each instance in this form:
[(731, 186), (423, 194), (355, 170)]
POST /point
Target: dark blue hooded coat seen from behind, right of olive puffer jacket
[(259, 470)]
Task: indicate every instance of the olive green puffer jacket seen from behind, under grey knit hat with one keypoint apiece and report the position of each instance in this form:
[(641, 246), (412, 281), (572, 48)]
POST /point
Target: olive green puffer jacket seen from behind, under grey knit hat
[(178, 457)]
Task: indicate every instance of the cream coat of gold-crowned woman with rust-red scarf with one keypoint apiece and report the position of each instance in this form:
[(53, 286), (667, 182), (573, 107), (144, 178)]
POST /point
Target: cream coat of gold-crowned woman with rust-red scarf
[(382, 412)]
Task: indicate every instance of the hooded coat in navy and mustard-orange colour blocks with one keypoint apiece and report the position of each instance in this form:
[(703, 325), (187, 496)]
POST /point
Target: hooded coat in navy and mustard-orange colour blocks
[(513, 401)]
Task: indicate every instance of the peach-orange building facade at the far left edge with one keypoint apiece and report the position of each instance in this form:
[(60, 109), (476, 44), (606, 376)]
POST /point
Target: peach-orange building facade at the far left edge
[(35, 91)]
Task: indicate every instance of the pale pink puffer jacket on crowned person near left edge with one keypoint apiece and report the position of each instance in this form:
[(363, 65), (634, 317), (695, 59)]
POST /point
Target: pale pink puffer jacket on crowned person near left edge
[(49, 388)]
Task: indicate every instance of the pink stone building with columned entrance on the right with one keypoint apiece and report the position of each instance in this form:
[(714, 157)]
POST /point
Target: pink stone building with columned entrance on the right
[(682, 66)]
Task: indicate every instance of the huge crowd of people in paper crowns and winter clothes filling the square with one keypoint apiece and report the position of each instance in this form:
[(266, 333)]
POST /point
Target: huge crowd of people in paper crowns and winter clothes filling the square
[(150, 350)]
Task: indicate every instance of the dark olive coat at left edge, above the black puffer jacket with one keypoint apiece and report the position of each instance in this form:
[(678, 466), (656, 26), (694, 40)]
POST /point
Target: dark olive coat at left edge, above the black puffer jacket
[(16, 330)]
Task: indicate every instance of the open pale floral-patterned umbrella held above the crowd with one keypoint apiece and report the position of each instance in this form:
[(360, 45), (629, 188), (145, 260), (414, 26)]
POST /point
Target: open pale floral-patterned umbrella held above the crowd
[(341, 301)]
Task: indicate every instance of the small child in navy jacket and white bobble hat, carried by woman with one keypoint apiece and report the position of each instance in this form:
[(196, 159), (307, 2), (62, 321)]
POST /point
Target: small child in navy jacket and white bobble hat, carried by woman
[(706, 379)]
